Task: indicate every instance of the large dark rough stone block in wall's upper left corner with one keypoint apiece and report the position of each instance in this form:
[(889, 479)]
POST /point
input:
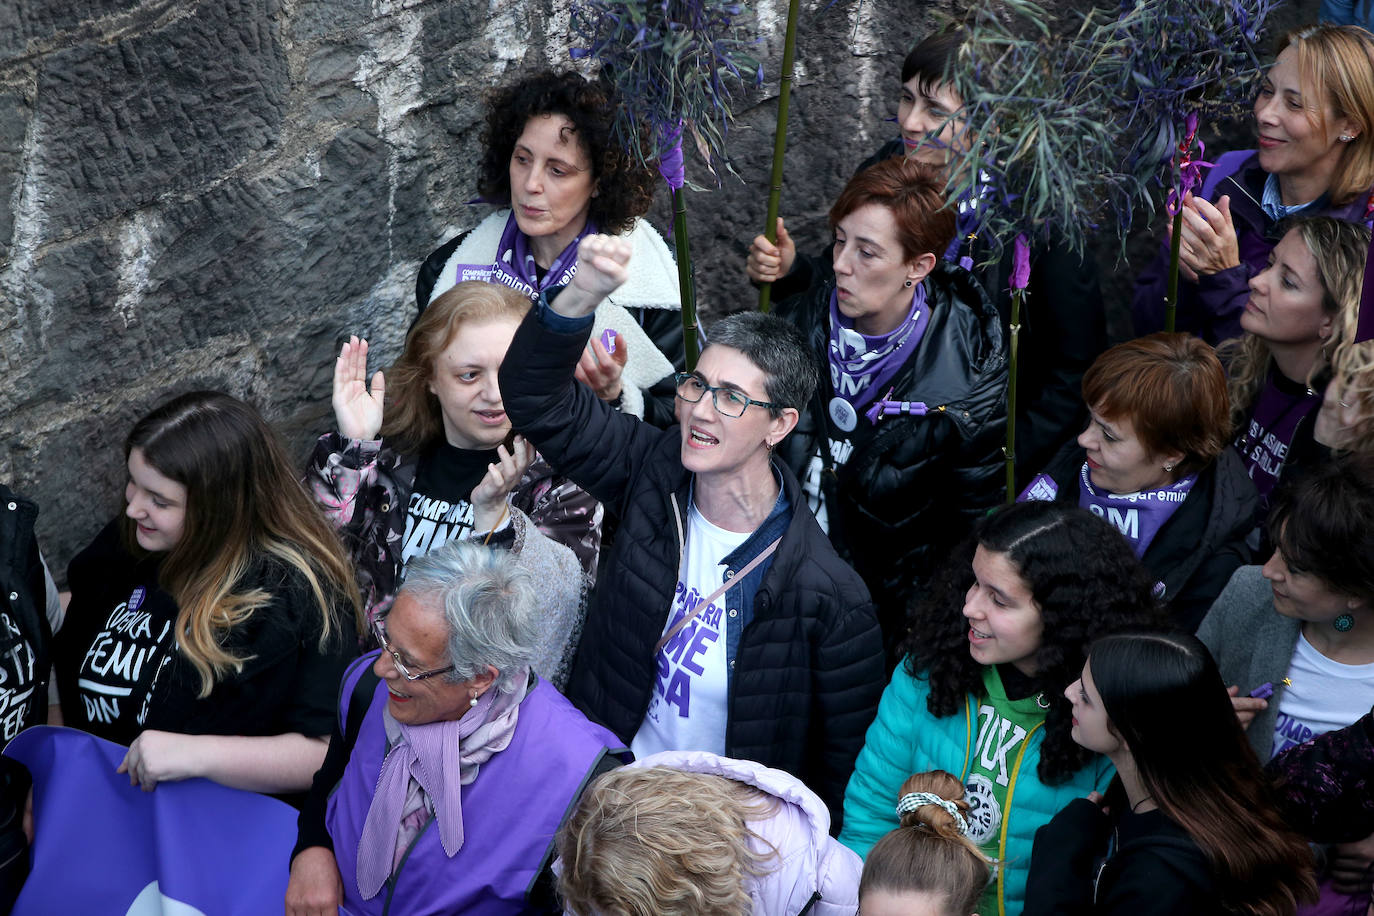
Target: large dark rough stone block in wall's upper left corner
[(157, 113)]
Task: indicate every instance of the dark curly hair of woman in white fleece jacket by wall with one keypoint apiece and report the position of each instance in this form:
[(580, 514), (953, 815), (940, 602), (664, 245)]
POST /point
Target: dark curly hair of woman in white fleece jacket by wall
[(626, 189)]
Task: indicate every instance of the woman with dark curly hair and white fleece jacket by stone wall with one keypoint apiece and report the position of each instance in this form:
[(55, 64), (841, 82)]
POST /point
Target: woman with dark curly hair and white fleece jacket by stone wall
[(552, 164)]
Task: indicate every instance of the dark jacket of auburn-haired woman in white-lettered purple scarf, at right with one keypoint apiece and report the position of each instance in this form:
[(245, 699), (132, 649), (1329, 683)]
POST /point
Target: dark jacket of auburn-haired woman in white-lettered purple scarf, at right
[(1202, 545)]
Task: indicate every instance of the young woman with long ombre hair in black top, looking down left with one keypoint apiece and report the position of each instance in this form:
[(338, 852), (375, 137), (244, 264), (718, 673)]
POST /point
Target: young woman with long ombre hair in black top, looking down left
[(211, 624)]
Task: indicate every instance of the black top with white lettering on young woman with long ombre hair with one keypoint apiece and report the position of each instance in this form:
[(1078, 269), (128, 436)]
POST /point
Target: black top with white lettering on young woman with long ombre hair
[(120, 672)]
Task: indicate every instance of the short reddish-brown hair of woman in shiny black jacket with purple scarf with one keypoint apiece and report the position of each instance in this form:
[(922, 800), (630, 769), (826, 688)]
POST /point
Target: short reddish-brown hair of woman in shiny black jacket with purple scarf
[(914, 193)]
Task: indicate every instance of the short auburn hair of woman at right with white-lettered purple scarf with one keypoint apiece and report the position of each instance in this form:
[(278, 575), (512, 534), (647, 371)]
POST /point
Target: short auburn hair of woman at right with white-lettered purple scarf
[(1173, 391)]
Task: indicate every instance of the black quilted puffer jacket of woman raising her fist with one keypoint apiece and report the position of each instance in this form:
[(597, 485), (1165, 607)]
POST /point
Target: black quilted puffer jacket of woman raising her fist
[(809, 669)]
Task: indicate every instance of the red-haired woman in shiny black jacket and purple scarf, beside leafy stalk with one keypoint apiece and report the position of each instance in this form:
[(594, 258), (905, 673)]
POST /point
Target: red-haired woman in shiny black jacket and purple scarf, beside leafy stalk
[(901, 451)]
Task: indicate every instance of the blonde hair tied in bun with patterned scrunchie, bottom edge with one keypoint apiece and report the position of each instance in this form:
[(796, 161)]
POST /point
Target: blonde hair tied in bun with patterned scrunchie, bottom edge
[(928, 854)]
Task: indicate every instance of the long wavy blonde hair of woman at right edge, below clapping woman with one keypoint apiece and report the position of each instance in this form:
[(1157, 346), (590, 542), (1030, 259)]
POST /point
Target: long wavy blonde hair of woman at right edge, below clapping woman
[(1340, 251)]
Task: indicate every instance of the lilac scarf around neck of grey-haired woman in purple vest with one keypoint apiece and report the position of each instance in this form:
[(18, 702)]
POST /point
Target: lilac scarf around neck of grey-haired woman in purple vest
[(432, 763)]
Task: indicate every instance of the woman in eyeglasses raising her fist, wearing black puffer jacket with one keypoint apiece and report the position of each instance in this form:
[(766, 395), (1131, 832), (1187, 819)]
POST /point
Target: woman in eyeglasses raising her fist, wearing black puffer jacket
[(723, 621)]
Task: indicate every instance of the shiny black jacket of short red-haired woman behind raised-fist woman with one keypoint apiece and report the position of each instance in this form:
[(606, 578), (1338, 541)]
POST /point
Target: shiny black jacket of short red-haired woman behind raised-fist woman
[(919, 485)]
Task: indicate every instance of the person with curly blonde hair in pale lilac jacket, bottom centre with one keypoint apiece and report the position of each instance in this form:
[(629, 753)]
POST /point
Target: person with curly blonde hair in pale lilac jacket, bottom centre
[(686, 833)]
